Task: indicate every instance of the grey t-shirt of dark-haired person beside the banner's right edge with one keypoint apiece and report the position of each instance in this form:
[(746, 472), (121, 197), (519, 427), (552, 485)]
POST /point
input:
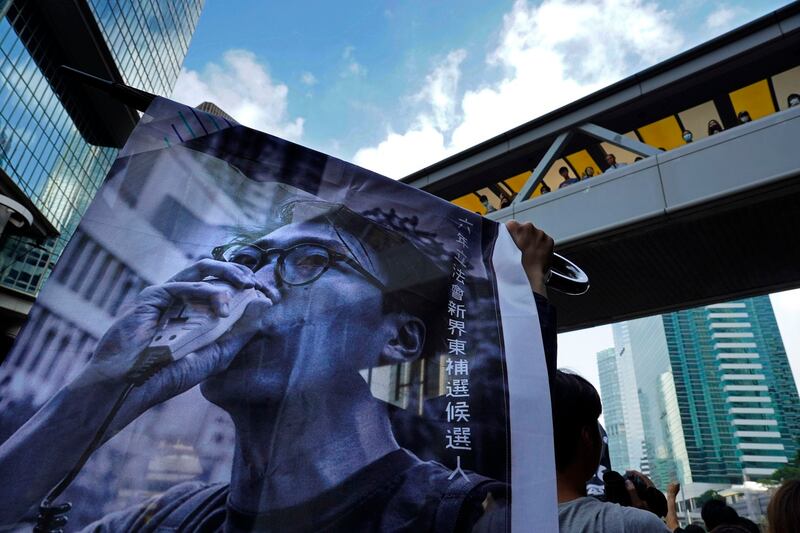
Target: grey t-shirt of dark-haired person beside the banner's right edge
[(587, 515)]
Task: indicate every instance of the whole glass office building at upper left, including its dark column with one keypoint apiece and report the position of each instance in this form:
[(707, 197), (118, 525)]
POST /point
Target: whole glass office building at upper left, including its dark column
[(57, 141)]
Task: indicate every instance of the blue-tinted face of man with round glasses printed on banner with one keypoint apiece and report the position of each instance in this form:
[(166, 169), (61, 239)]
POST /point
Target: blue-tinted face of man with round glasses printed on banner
[(328, 320)]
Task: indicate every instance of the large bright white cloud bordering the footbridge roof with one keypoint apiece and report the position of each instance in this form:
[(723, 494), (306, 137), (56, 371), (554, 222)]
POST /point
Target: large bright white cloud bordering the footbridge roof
[(549, 55)]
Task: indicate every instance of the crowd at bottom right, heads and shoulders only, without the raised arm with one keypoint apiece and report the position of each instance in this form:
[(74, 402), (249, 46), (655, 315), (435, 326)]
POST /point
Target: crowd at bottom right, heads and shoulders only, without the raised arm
[(630, 501)]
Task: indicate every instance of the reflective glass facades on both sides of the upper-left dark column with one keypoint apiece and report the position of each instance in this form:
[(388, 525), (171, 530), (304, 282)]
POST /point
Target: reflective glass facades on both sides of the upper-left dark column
[(42, 150)]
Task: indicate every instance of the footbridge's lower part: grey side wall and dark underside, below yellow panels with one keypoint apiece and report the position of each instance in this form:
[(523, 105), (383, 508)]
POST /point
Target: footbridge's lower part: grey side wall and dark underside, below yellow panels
[(713, 220)]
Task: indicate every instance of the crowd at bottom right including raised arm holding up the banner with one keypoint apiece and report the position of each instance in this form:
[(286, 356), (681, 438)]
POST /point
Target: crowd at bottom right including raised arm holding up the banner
[(625, 502)]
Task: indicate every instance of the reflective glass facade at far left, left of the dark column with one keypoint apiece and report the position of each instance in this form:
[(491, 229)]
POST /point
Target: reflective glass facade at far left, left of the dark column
[(45, 155)]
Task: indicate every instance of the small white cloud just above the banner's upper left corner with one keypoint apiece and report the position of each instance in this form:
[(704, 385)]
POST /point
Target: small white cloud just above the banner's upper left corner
[(243, 88)]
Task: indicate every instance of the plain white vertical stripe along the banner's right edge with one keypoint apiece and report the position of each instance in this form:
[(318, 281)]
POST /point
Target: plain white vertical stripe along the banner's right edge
[(533, 472)]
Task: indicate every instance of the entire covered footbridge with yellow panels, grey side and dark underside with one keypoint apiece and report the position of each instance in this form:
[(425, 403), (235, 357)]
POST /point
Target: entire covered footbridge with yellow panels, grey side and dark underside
[(682, 224)]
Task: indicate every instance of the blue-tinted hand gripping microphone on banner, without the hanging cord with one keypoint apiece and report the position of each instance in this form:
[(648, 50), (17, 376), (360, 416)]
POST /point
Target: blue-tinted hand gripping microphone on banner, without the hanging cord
[(177, 334)]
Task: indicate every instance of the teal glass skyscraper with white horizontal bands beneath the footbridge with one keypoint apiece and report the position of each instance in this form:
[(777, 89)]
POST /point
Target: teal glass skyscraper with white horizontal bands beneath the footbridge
[(717, 396)]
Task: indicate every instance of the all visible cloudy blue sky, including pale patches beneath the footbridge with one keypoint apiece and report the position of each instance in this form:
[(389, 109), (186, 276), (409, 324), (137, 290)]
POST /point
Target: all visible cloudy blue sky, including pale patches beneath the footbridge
[(395, 86)]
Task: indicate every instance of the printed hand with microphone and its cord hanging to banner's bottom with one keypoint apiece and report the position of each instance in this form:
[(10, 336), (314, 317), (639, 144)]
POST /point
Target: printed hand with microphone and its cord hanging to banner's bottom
[(174, 336)]
